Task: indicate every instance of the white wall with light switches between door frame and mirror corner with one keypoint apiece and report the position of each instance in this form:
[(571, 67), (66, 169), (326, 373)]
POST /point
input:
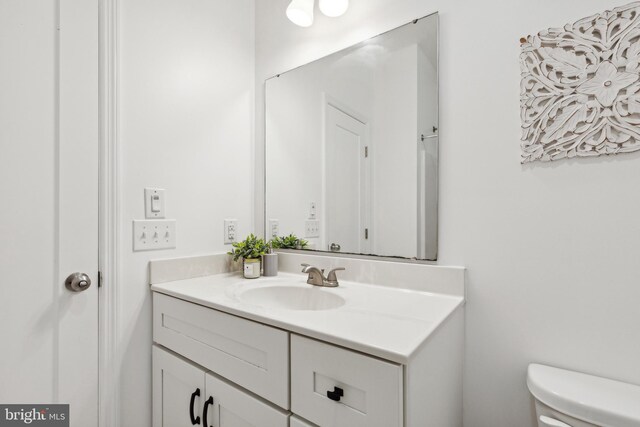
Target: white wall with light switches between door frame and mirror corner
[(186, 118)]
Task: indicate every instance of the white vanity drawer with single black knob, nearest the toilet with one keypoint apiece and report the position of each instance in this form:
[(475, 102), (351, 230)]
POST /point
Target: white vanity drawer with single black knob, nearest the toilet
[(372, 388)]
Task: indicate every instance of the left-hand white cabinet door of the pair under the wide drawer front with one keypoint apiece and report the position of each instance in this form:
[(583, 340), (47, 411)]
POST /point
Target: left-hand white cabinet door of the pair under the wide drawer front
[(178, 391)]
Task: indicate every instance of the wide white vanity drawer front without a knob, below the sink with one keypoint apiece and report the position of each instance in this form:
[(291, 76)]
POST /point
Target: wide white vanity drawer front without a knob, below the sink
[(250, 354)]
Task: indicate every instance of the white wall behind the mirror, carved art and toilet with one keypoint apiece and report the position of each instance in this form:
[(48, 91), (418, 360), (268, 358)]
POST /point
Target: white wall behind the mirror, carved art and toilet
[(551, 249)]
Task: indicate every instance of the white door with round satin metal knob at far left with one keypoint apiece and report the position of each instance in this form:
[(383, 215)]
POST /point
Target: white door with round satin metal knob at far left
[(49, 208)]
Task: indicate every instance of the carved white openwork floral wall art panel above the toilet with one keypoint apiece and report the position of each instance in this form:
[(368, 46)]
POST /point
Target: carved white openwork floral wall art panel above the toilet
[(580, 89)]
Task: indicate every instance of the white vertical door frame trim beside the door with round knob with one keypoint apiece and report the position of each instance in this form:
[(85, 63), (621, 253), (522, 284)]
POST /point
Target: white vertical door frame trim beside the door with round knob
[(110, 216)]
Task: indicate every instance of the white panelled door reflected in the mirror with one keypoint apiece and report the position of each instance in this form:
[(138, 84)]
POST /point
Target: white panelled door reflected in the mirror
[(347, 183)]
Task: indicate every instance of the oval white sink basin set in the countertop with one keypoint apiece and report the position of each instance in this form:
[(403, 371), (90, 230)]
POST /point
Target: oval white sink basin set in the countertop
[(292, 298)]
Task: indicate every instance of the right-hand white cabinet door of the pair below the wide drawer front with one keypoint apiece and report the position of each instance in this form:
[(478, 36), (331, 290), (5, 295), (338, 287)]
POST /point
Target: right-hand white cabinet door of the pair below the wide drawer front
[(228, 406)]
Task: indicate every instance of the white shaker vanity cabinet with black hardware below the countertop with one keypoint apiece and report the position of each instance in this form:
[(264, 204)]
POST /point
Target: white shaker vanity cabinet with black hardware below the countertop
[(244, 373)]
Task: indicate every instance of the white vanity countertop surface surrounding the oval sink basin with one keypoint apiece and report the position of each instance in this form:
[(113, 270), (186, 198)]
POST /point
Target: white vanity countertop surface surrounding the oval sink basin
[(386, 322)]
